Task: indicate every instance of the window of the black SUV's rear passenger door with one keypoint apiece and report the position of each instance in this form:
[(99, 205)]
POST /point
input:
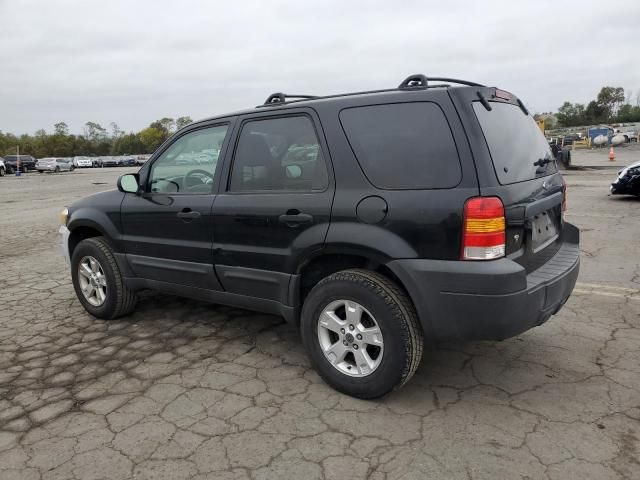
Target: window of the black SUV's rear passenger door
[(280, 154)]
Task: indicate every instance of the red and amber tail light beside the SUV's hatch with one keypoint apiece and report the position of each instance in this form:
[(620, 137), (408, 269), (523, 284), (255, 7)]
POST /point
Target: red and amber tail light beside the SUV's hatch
[(483, 236)]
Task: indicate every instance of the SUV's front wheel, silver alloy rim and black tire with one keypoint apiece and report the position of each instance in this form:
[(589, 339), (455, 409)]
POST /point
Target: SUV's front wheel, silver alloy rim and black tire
[(98, 282)]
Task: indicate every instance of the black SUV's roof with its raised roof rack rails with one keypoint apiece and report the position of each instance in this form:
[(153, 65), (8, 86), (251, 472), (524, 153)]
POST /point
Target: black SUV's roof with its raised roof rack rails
[(411, 83)]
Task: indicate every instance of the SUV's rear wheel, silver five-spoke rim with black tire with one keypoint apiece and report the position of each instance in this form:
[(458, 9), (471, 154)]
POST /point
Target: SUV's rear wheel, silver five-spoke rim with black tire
[(361, 333)]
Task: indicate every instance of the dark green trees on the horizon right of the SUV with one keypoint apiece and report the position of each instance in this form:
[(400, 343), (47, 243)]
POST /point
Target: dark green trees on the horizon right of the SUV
[(610, 106)]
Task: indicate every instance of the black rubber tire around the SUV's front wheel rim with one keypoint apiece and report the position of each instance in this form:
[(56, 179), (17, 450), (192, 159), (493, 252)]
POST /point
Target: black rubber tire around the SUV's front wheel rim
[(119, 300)]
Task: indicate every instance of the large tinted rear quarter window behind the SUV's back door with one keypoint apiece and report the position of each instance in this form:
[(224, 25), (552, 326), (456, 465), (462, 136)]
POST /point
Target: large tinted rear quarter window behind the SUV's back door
[(403, 145)]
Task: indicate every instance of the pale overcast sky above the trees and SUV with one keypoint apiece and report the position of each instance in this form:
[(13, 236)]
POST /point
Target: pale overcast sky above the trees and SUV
[(132, 62)]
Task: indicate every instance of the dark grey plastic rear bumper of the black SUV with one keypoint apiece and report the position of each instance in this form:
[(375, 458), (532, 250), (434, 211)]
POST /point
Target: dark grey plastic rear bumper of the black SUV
[(491, 300)]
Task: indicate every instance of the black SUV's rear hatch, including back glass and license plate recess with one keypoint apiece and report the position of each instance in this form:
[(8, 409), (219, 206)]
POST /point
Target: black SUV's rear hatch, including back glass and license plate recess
[(528, 182)]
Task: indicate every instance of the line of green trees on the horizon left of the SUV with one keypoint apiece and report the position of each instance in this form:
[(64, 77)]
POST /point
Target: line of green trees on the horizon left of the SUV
[(95, 140)]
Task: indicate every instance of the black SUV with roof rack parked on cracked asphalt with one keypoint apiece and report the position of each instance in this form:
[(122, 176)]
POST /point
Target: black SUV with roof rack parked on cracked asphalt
[(373, 220)]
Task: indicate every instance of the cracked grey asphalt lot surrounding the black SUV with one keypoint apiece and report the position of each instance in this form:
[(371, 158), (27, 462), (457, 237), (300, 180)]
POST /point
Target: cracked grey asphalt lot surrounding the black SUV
[(182, 389)]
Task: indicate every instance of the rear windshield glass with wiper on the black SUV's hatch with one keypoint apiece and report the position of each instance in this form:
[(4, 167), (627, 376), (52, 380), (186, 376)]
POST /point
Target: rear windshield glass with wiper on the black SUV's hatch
[(515, 142)]
